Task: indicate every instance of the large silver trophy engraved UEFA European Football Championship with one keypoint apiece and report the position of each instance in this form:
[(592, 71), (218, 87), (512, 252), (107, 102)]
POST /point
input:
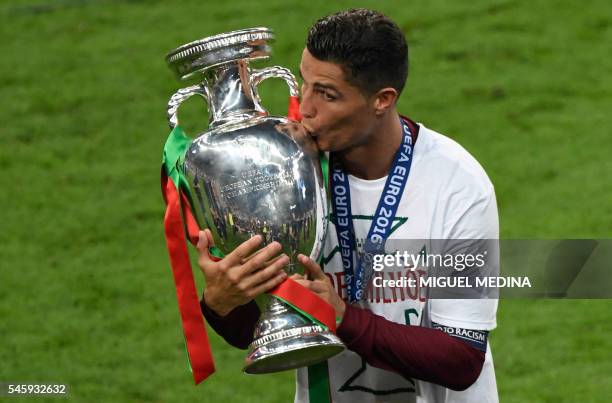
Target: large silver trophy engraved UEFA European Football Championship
[(246, 176)]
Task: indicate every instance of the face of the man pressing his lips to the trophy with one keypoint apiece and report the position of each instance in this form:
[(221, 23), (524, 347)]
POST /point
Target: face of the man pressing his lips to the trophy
[(335, 113)]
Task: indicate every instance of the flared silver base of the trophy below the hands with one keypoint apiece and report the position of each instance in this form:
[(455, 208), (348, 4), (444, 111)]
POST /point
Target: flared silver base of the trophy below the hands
[(287, 340)]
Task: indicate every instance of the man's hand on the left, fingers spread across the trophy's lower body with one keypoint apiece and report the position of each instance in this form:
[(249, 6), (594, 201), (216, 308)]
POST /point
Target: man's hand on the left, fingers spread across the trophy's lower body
[(233, 281)]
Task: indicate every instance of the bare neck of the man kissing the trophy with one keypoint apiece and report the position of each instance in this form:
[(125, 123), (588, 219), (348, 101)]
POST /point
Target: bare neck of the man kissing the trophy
[(373, 159)]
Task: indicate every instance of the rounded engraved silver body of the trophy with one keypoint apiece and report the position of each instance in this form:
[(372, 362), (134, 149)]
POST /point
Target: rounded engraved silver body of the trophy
[(250, 178)]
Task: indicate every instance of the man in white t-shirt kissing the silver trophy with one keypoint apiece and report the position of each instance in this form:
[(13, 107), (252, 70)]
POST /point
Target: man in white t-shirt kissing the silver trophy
[(353, 69)]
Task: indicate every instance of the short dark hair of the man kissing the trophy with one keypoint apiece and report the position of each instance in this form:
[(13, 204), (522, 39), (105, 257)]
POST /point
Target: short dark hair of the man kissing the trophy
[(371, 49)]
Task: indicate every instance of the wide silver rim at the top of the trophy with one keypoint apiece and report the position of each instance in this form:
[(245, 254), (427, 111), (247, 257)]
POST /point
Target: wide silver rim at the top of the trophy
[(197, 56)]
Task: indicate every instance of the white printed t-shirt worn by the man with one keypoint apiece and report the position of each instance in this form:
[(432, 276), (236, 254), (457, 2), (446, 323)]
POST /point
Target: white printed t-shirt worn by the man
[(447, 196)]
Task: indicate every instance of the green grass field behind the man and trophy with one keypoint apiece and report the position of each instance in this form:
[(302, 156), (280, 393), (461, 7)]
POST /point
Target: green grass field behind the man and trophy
[(86, 293)]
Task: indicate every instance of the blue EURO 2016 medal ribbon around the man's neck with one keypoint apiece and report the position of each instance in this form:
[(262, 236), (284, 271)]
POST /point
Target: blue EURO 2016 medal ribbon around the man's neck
[(356, 277)]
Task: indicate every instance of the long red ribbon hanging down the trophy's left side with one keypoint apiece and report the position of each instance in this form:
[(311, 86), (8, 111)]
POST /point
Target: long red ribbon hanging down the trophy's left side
[(194, 329)]
